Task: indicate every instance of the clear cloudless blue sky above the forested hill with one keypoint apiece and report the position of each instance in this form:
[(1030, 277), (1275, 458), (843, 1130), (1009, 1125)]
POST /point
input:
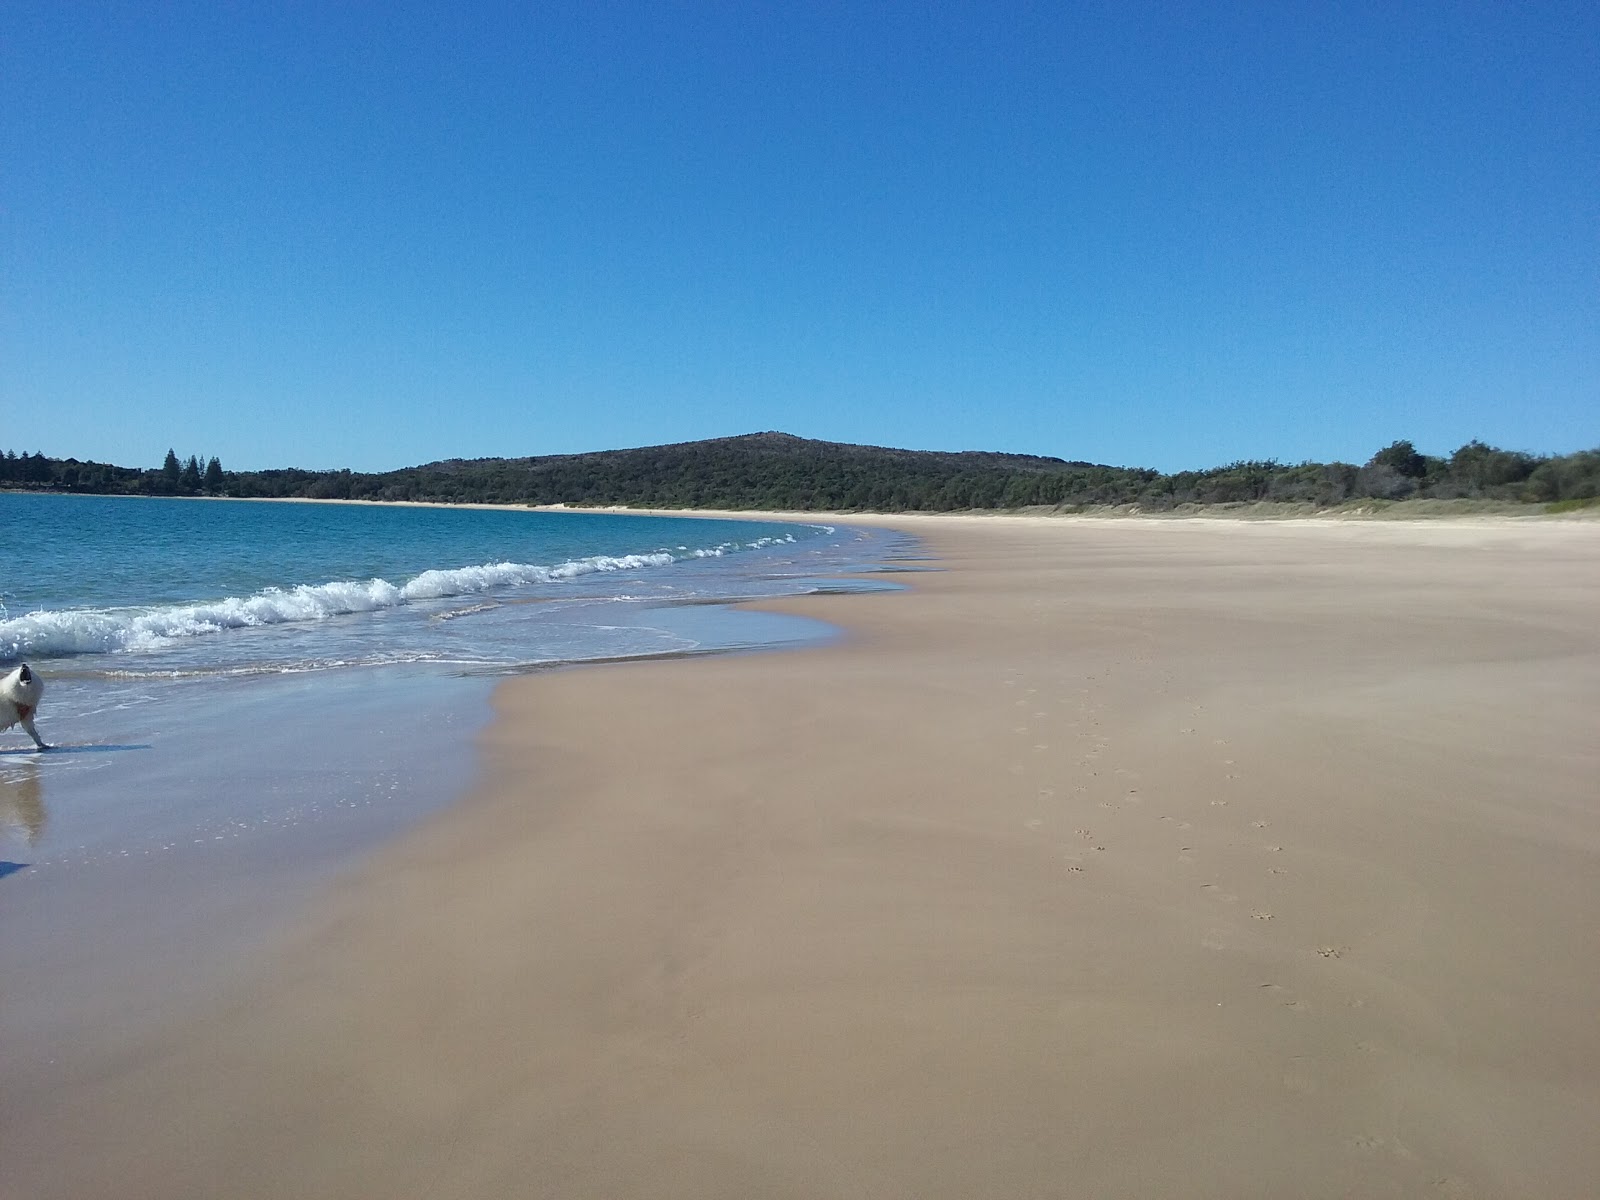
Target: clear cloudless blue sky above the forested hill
[(1170, 236)]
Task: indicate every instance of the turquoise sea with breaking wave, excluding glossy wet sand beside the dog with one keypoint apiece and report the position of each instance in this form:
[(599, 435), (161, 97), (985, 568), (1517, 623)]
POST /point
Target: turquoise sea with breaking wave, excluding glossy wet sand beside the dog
[(140, 586)]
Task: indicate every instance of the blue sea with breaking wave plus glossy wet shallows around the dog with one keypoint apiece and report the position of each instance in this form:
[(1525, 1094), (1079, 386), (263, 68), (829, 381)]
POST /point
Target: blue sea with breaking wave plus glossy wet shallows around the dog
[(247, 697)]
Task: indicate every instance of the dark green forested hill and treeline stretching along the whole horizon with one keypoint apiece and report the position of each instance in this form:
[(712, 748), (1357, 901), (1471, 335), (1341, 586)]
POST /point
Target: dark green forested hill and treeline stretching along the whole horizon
[(780, 471)]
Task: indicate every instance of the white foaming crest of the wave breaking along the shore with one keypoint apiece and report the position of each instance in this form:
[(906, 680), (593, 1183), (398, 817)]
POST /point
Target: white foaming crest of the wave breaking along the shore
[(100, 631)]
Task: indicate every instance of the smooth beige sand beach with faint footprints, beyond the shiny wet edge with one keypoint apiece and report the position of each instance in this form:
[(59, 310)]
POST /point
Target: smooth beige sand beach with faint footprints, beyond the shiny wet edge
[(1119, 858)]
